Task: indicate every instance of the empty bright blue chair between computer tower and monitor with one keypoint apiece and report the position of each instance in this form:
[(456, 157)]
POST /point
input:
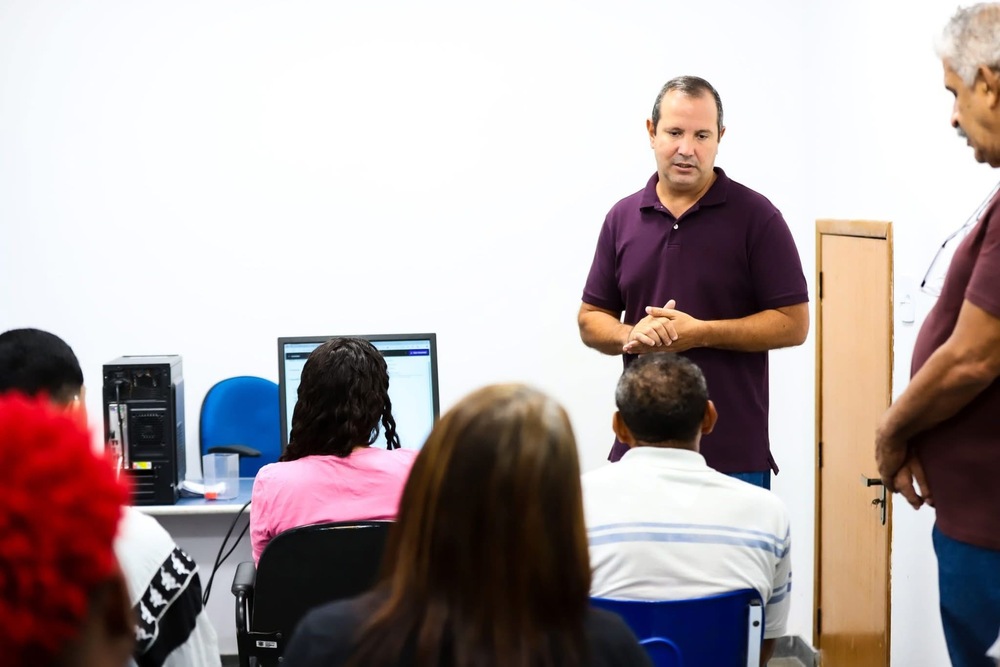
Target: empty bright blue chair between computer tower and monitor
[(240, 414)]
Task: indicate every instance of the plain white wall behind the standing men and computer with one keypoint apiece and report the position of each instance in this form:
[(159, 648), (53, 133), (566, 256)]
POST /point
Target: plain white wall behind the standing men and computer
[(203, 177)]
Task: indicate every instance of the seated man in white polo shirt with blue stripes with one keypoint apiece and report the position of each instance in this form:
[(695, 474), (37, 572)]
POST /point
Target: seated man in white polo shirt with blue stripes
[(662, 525)]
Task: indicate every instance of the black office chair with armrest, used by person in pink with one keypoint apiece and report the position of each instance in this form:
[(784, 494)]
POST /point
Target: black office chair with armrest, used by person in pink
[(299, 569)]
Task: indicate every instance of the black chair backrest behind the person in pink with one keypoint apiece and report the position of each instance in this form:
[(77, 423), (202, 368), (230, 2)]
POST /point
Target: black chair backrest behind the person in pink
[(307, 566)]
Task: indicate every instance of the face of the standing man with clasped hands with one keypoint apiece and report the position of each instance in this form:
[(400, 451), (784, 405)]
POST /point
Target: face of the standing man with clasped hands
[(685, 141)]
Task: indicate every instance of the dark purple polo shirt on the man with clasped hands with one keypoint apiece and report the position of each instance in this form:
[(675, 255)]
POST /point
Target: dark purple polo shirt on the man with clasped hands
[(730, 255)]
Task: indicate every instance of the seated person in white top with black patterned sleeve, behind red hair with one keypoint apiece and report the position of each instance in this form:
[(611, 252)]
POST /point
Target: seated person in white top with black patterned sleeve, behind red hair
[(172, 628)]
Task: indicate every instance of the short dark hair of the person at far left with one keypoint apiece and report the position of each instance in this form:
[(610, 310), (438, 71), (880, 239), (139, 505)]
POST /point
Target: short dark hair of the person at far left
[(36, 362)]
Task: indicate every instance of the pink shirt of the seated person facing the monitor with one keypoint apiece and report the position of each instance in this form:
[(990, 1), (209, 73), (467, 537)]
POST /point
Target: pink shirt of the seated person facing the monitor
[(364, 486)]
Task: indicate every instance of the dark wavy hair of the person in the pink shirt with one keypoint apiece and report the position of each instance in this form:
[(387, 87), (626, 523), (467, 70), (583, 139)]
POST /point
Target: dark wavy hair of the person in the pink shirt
[(343, 399)]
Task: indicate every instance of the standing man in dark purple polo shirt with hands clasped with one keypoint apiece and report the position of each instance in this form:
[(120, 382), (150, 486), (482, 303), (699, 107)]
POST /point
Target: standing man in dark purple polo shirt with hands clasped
[(703, 266)]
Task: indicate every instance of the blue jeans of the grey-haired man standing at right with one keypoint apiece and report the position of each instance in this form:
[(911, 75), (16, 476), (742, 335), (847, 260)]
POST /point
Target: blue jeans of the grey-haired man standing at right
[(969, 585)]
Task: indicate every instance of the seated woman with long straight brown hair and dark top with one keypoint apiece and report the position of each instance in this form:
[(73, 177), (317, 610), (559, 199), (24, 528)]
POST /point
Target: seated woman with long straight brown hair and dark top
[(487, 564)]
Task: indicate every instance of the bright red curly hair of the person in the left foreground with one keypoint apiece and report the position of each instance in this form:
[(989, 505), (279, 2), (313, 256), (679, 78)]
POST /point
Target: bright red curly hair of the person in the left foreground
[(60, 504)]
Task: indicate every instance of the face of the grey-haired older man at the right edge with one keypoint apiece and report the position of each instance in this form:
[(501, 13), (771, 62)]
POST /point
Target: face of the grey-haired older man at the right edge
[(974, 113)]
